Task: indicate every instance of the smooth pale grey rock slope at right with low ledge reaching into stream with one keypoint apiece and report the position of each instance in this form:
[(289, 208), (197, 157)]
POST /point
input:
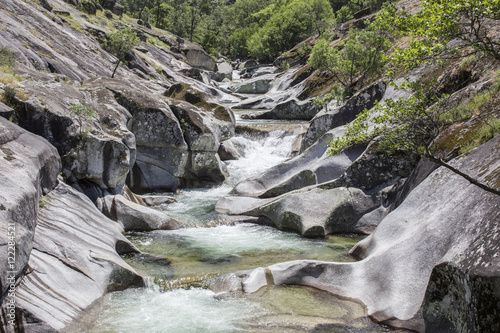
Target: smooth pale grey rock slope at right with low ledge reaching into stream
[(447, 226)]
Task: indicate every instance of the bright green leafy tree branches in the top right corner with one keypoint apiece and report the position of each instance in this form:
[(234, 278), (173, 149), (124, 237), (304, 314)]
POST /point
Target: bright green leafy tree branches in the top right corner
[(438, 23)]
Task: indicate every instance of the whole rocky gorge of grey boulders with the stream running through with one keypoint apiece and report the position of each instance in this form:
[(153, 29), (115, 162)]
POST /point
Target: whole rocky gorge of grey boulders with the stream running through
[(199, 195)]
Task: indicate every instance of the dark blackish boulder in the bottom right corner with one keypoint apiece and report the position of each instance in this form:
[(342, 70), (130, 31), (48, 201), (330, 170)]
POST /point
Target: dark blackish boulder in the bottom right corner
[(463, 294)]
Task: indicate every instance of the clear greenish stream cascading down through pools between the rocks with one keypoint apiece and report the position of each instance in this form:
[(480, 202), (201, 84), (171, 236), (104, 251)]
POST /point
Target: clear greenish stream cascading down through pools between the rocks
[(198, 252)]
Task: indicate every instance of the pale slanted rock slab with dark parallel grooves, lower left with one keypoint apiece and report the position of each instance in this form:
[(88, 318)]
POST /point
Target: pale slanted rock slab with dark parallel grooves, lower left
[(73, 263)]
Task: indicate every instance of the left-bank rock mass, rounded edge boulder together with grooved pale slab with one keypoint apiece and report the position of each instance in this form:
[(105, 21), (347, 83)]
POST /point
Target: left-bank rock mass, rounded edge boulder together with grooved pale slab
[(65, 249)]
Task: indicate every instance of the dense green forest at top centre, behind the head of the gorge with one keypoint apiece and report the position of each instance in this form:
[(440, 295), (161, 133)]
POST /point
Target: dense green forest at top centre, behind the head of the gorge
[(261, 29)]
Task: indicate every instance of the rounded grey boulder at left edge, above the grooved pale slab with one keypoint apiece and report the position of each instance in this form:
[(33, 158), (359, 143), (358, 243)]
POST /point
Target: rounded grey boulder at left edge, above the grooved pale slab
[(28, 168)]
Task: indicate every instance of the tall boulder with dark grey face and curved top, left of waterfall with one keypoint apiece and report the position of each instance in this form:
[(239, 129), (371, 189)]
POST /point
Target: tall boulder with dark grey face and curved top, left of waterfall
[(161, 150)]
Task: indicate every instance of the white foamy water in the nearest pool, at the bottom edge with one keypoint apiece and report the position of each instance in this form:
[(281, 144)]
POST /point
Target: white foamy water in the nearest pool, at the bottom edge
[(194, 310)]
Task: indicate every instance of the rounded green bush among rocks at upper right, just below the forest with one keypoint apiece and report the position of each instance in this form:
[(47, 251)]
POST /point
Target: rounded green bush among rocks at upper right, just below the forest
[(359, 56)]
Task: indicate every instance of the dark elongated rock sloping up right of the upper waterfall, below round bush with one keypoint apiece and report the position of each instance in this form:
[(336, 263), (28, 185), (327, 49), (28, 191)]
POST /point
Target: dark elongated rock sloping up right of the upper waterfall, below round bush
[(325, 121)]
